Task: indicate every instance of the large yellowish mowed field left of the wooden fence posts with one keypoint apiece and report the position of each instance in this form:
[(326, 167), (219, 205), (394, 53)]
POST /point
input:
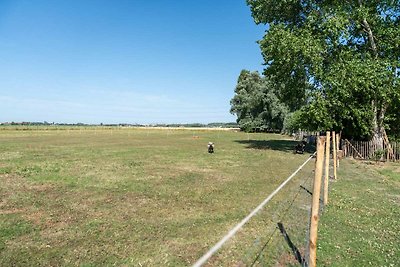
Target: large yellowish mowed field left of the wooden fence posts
[(134, 196)]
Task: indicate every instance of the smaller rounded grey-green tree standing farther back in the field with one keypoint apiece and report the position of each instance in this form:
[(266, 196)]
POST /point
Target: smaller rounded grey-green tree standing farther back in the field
[(255, 104)]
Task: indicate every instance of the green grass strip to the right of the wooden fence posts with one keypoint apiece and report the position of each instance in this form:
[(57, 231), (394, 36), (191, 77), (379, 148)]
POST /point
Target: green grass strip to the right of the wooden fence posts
[(361, 226)]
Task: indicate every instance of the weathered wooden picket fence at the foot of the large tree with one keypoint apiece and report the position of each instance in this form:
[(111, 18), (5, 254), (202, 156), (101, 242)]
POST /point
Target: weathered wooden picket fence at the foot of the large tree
[(369, 150)]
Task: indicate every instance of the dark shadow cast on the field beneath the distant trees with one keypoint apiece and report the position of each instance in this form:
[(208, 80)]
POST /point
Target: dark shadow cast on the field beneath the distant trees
[(281, 145)]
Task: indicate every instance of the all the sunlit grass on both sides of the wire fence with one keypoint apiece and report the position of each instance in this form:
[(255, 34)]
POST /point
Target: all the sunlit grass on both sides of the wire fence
[(131, 197)]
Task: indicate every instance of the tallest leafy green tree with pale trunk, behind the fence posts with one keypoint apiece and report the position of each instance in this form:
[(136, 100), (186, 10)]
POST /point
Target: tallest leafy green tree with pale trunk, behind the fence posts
[(336, 61)]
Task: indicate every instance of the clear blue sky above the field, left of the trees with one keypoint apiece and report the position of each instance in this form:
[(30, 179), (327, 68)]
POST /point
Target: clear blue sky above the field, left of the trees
[(133, 61)]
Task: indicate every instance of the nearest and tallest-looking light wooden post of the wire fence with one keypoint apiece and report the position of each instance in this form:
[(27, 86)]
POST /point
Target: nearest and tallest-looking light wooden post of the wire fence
[(312, 261)]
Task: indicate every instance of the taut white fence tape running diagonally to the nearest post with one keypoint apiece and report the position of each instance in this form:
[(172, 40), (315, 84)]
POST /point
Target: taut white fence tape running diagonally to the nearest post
[(235, 229)]
